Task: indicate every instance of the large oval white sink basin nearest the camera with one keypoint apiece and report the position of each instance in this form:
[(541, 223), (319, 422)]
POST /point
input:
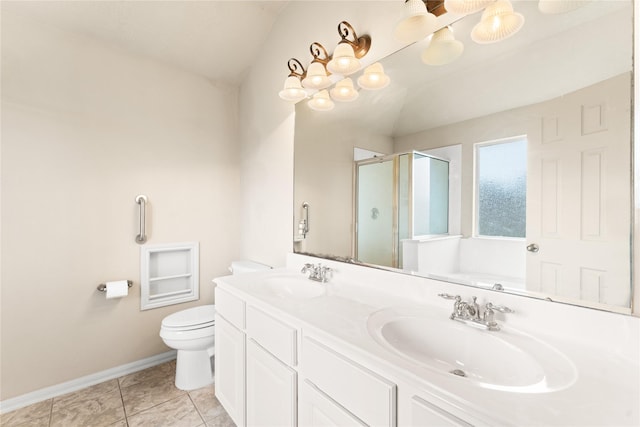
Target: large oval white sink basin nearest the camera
[(505, 360)]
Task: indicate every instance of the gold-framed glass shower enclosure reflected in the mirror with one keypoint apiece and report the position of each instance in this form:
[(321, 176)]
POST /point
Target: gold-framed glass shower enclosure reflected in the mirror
[(398, 197)]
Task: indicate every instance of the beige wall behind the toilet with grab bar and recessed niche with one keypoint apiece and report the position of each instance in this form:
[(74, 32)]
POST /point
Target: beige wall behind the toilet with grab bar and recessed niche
[(85, 128)]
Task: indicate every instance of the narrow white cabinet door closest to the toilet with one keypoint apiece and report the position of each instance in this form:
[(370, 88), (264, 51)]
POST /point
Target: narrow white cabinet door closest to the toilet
[(229, 369)]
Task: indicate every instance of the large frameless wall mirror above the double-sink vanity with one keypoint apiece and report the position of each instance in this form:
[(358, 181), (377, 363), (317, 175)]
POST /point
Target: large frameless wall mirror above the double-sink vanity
[(536, 133)]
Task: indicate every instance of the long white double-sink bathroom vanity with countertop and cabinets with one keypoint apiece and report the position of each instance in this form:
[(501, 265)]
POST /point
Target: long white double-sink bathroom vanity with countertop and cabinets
[(371, 347)]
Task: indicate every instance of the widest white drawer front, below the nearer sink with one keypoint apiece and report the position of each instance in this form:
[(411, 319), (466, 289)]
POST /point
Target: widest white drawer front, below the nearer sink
[(362, 392)]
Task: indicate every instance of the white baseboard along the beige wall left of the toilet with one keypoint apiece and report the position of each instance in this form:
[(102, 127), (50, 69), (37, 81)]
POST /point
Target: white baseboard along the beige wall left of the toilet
[(14, 403)]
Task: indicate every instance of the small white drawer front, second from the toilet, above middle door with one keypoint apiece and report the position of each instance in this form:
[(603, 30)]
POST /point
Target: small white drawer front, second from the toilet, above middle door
[(276, 337)]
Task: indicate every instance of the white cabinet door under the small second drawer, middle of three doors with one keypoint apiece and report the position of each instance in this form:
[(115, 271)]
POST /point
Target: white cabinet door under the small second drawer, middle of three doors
[(271, 389)]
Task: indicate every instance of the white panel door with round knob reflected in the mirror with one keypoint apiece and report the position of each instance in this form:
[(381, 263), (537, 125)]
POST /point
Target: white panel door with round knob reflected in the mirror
[(578, 188)]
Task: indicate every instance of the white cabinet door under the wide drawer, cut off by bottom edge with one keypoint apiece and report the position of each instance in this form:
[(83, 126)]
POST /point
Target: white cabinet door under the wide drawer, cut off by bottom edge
[(319, 410)]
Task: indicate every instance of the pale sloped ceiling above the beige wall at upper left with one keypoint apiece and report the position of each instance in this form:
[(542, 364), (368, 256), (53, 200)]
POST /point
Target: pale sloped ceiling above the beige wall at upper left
[(199, 36)]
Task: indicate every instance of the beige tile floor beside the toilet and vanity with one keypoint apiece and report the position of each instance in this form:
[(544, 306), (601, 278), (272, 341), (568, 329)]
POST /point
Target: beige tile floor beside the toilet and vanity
[(144, 398)]
